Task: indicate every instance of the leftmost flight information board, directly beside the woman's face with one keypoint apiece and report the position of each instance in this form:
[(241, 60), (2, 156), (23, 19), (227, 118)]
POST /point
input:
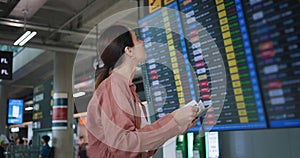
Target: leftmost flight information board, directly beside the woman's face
[(168, 78)]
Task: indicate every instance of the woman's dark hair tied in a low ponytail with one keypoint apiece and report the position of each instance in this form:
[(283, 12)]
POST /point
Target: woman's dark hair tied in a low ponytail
[(113, 42)]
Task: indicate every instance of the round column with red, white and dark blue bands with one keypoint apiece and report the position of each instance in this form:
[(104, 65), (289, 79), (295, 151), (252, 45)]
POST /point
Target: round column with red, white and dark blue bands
[(63, 108)]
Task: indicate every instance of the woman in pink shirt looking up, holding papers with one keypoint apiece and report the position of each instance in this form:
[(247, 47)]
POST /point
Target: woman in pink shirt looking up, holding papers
[(116, 122)]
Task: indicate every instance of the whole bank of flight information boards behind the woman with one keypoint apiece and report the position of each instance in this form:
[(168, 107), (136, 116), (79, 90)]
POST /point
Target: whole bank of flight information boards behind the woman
[(241, 57)]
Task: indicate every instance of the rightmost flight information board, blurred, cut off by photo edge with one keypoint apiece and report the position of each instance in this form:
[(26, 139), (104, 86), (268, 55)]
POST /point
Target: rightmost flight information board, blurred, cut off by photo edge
[(274, 30)]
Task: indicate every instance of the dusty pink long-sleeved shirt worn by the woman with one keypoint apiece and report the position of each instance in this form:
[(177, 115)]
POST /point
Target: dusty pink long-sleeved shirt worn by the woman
[(114, 123)]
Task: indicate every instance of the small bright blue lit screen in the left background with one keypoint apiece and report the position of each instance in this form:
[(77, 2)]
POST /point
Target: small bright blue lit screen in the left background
[(15, 111)]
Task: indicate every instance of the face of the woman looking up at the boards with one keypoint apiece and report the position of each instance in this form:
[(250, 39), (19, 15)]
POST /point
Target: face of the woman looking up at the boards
[(138, 48)]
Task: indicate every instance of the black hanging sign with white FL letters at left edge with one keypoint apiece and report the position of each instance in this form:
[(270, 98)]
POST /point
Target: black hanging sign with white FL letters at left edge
[(6, 65)]
